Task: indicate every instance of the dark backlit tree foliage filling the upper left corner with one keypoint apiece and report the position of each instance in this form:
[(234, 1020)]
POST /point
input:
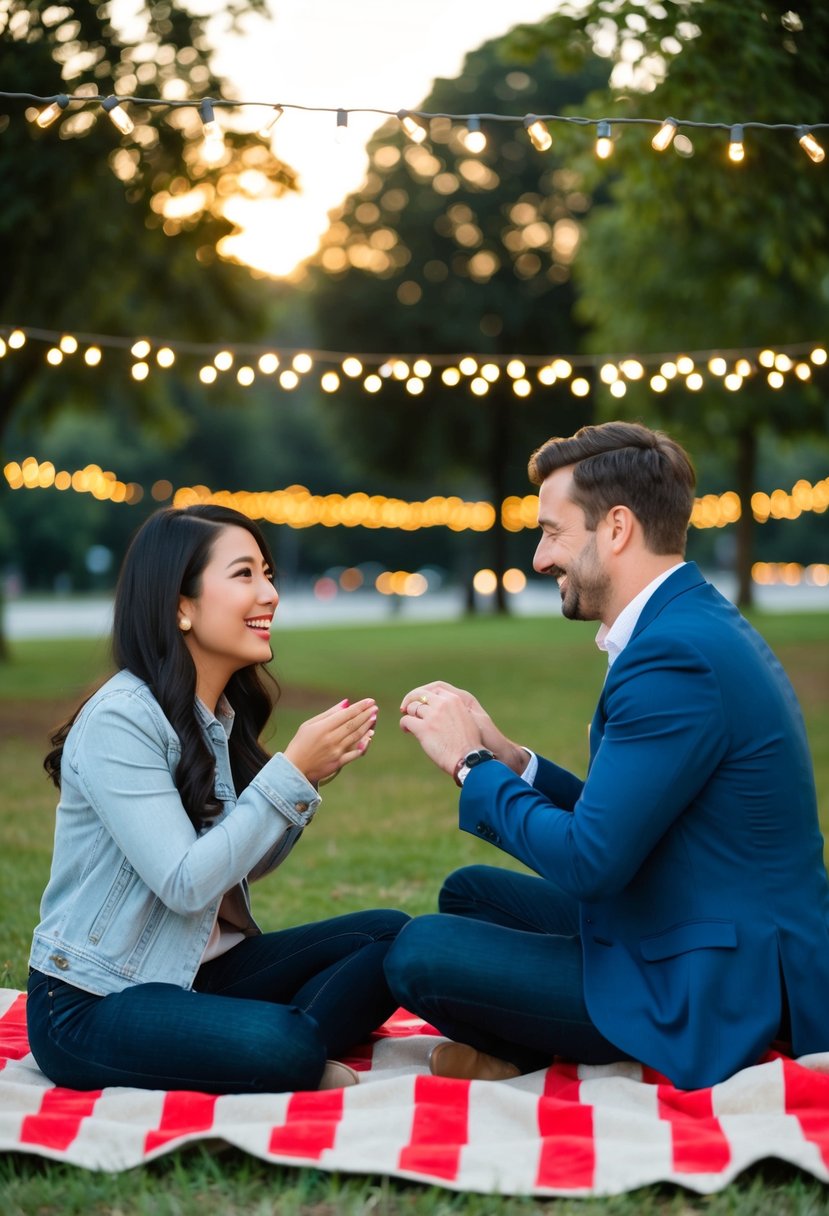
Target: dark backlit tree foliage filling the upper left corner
[(109, 234)]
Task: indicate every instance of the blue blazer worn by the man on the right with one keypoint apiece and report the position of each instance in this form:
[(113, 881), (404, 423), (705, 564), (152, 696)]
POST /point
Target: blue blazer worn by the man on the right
[(693, 846)]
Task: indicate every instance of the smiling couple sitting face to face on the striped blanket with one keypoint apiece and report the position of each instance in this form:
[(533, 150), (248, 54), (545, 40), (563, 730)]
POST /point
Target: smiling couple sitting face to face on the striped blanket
[(681, 911)]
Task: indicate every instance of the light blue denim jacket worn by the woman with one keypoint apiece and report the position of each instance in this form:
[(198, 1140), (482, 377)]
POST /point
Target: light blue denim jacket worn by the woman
[(136, 890)]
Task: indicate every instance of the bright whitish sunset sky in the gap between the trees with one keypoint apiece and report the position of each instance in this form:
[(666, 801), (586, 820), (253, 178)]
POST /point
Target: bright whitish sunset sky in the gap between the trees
[(339, 54)]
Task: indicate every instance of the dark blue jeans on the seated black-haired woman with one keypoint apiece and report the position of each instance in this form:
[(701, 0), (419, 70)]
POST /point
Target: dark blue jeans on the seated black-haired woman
[(262, 1018)]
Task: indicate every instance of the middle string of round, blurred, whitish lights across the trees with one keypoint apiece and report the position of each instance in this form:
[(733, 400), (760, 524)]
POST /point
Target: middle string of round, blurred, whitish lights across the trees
[(523, 375)]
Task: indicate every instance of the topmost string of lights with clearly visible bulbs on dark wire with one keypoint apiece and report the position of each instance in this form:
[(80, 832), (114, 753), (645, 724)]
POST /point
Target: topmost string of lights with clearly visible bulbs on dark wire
[(415, 122)]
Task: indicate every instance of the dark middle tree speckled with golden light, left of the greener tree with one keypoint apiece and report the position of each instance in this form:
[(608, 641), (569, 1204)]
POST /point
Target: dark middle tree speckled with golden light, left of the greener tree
[(449, 252)]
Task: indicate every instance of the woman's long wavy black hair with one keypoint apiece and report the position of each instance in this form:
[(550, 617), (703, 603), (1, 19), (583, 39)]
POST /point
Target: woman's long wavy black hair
[(166, 561)]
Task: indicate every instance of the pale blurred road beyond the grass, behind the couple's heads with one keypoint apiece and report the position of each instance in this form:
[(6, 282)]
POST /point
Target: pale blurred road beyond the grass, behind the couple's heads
[(92, 617)]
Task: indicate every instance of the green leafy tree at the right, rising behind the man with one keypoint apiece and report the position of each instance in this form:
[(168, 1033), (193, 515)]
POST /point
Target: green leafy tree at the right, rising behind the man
[(690, 251)]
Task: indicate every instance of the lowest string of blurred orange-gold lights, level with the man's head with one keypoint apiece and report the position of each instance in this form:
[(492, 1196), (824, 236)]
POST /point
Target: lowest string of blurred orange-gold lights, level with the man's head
[(298, 508)]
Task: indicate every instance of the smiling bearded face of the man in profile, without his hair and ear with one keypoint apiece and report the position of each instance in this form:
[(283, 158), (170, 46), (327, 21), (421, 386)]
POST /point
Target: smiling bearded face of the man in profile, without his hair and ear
[(569, 551)]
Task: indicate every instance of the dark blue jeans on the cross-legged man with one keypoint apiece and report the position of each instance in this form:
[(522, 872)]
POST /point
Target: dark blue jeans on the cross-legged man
[(500, 967)]
